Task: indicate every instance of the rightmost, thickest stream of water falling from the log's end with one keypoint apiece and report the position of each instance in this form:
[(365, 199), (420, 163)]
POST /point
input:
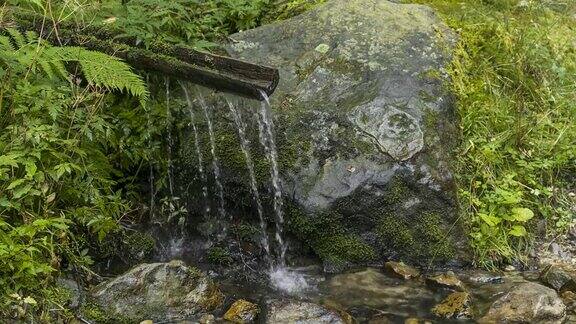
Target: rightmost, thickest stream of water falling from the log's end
[(266, 135)]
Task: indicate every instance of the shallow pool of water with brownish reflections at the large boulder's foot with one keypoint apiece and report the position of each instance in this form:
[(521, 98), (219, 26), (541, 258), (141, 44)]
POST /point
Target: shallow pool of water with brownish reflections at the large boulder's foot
[(369, 294)]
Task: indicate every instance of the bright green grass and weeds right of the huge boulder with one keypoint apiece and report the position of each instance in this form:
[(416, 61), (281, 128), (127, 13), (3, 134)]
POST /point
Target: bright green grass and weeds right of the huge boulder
[(514, 76)]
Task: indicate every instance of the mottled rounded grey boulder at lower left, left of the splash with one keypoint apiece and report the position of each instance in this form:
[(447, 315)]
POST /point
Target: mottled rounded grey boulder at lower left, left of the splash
[(159, 291)]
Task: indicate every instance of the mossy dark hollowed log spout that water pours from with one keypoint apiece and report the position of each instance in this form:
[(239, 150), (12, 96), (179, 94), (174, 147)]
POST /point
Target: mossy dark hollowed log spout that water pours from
[(206, 69)]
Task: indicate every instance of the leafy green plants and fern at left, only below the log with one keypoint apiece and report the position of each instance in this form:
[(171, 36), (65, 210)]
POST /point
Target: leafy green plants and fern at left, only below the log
[(56, 180)]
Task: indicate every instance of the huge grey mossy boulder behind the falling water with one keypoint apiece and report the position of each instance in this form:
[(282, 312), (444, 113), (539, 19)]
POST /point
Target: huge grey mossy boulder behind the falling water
[(364, 128)]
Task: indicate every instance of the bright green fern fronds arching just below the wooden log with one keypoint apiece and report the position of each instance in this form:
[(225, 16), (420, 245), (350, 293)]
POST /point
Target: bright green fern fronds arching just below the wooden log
[(99, 69)]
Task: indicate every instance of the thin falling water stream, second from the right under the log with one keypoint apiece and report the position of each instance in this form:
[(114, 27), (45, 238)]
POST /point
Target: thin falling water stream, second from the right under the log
[(245, 147)]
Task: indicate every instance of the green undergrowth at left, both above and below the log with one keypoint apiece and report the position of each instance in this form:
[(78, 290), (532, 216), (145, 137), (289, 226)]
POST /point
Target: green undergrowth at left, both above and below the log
[(77, 131)]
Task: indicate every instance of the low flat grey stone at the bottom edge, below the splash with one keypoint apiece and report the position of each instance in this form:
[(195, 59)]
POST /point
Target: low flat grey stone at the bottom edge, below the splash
[(292, 311)]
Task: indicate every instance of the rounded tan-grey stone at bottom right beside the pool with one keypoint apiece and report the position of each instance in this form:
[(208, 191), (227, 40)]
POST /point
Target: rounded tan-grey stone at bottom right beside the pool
[(527, 303)]
